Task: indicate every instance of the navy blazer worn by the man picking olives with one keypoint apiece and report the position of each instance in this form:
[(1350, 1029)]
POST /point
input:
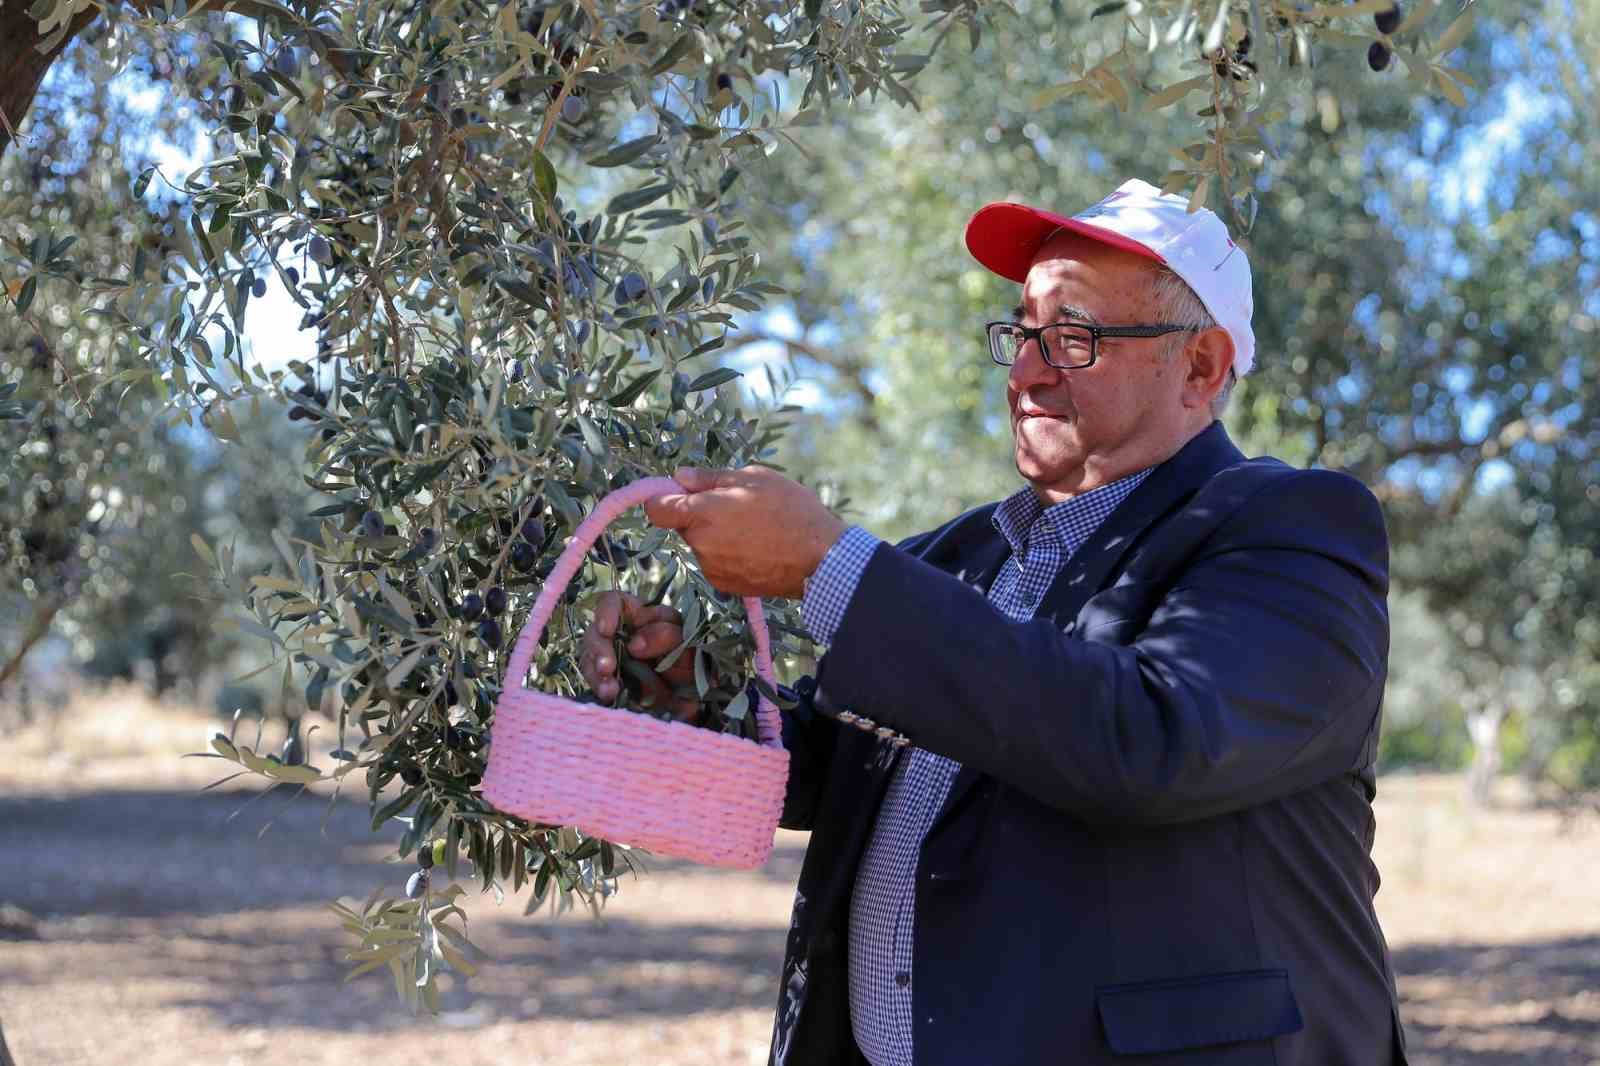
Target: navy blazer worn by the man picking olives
[(1159, 846)]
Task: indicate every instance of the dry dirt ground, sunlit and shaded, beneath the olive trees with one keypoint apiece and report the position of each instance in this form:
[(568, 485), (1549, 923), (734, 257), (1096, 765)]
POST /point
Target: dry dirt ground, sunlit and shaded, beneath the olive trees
[(146, 923)]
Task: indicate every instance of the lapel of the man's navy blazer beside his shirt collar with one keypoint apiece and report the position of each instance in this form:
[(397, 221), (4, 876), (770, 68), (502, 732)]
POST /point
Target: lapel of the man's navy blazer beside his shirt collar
[(1086, 574)]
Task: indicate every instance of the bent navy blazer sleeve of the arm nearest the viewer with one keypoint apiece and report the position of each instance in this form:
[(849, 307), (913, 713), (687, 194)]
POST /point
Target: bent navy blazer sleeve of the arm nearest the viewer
[(1258, 675)]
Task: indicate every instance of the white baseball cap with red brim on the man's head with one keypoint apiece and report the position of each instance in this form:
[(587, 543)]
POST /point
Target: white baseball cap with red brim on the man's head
[(1142, 220)]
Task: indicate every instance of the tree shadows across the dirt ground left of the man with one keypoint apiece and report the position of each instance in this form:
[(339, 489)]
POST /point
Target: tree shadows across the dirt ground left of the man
[(175, 891)]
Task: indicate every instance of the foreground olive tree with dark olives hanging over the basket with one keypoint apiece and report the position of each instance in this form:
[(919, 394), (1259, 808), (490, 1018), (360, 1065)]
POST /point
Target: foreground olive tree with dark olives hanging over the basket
[(519, 233)]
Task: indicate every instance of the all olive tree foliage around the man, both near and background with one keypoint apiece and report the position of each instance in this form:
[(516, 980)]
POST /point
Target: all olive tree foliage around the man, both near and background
[(530, 246)]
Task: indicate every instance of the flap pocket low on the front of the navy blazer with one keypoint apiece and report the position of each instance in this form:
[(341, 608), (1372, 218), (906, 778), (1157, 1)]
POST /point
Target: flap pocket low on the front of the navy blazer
[(1174, 1016)]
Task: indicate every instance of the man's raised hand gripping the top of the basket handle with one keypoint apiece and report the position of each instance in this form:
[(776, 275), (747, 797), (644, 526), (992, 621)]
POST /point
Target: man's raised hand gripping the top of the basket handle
[(753, 531)]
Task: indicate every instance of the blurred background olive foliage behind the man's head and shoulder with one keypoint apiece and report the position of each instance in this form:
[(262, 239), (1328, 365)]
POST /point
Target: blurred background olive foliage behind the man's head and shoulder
[(1414, 331)]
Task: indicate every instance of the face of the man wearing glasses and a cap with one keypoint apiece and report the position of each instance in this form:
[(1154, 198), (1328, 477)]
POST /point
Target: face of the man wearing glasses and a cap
[(1079, 430)]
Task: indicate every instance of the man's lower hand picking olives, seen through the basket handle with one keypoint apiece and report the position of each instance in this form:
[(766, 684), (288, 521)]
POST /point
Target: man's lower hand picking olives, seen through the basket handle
[(654, 633)]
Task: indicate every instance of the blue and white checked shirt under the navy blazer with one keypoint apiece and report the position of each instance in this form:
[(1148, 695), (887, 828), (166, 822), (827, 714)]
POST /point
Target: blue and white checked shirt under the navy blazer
[(882, 908)]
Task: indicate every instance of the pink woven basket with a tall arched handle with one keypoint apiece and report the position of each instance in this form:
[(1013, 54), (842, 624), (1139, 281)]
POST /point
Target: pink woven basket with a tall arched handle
[(665, 787)]
